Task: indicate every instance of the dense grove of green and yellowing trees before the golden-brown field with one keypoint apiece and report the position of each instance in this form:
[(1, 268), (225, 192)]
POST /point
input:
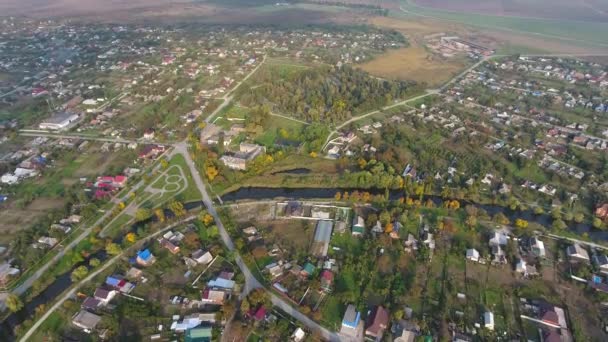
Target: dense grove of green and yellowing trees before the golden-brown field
[(329, 95)]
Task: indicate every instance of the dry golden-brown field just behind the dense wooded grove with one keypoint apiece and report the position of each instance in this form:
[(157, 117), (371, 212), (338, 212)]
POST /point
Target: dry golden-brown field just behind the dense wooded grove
[(414, 63)]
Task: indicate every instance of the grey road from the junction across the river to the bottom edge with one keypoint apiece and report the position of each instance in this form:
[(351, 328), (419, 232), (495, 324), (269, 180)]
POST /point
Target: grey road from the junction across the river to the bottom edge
[(250, 281)]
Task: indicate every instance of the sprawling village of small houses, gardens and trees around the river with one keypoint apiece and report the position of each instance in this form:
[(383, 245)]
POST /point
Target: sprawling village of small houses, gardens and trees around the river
[(152, 180)]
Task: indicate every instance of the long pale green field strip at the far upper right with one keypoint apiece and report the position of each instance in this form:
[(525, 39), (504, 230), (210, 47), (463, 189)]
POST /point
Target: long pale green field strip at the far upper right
[(579, 32)]
